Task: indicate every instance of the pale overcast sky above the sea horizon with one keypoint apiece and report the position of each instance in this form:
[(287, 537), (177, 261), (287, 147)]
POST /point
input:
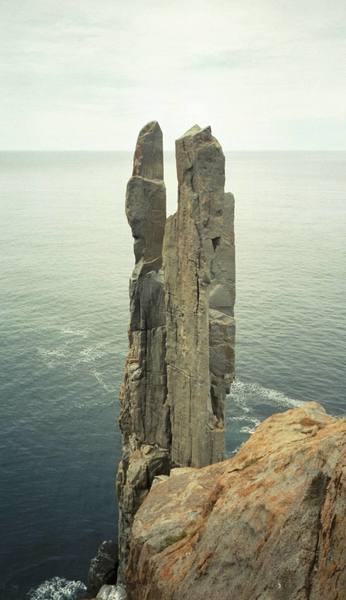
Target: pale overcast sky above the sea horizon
[(87, 74)]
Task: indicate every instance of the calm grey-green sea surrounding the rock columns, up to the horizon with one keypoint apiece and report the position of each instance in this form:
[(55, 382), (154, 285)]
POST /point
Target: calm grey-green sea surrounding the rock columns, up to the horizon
[(66, 256)]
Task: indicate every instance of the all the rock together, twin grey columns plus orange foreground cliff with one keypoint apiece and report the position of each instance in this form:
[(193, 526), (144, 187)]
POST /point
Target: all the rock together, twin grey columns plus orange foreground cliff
[(267, 524)]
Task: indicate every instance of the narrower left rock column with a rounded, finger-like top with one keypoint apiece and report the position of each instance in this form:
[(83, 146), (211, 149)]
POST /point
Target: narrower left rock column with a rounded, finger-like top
[(145, 415)]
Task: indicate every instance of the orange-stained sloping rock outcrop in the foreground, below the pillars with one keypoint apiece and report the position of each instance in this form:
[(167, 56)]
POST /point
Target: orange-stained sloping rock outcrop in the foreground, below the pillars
[(268, 524)]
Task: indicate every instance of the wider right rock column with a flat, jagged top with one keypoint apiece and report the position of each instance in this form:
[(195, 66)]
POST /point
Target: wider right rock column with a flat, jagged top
[(199, 286)]
